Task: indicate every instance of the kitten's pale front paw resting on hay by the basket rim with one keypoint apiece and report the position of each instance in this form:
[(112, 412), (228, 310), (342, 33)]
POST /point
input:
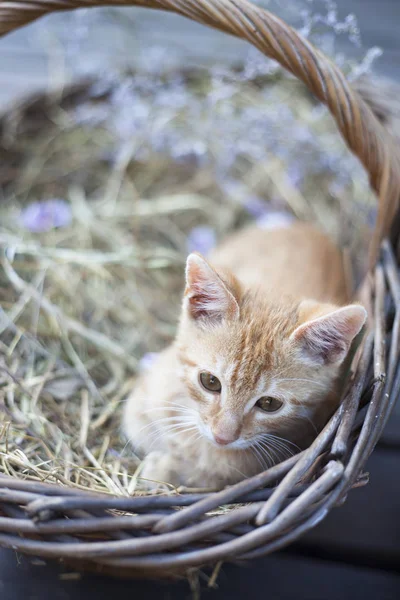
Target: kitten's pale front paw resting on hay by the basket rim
[(159, 472)]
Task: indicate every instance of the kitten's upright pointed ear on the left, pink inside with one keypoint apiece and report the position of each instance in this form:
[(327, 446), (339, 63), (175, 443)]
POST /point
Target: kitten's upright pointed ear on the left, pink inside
[(207, 296)]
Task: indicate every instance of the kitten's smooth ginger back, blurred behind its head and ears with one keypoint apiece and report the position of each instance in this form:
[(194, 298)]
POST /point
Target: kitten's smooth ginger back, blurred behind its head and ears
[(297, 260)]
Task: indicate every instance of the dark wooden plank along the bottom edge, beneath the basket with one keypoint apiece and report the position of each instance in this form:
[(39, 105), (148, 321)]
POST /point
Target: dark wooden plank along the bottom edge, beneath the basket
[(279, 577)]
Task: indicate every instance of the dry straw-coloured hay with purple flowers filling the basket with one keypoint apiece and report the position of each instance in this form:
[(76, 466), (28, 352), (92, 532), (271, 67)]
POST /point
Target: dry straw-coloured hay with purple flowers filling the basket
[(105, 188)]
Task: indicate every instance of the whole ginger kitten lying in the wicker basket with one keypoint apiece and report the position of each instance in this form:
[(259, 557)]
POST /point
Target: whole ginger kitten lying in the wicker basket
[(257, 365)]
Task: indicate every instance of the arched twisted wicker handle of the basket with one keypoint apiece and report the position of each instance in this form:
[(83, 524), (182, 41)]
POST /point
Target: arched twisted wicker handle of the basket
[(363, 133)]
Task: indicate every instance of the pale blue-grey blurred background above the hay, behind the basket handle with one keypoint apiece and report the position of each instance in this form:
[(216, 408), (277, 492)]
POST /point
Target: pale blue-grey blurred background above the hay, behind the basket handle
[(62, 46)]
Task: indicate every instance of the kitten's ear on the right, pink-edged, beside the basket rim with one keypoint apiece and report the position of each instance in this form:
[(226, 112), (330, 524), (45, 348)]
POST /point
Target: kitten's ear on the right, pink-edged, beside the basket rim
[(326, 340)]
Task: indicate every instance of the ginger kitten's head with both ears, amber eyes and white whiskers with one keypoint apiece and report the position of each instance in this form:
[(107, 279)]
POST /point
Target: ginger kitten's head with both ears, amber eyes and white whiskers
[(258, 368)]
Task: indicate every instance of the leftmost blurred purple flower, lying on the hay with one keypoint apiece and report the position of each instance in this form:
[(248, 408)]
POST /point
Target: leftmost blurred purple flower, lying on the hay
[(46, 215)]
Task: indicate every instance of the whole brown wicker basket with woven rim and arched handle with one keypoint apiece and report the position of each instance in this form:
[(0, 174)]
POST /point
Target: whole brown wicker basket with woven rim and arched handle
[(172, 533)]
